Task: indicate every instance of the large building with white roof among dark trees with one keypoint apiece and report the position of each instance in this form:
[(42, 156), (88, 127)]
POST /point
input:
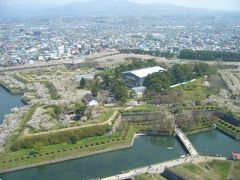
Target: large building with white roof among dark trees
[(135, 78)]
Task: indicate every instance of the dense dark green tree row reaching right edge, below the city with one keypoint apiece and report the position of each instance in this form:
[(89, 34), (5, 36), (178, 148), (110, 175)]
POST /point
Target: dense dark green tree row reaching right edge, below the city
[(209, 55)]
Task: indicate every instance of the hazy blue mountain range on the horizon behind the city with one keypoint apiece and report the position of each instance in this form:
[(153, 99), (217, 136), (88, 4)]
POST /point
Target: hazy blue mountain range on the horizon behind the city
[(98, 8)]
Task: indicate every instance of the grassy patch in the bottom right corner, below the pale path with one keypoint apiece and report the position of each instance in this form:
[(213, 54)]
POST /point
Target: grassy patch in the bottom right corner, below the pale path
[(215, 170)]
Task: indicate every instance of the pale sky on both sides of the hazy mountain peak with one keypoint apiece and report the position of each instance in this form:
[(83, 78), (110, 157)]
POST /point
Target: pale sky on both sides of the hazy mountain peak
[(208, 4)]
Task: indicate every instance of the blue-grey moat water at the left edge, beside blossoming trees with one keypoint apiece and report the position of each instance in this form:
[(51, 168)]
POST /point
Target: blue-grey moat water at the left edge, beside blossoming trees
[(7, 102)]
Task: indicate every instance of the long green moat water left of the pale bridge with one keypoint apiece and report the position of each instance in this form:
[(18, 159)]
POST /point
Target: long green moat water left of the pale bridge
[(146, 150)]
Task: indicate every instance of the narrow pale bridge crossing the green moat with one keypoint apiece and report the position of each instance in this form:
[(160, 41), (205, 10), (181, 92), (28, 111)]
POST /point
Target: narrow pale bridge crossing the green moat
[(192, 151)]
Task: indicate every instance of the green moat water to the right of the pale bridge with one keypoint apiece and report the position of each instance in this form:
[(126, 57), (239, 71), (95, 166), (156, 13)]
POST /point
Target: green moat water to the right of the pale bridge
[(214, 142)]
